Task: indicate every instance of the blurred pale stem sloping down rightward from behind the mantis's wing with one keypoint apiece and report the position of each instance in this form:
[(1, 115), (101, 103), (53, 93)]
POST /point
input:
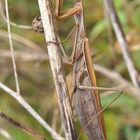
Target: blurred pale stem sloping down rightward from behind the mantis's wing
[(117, 78)]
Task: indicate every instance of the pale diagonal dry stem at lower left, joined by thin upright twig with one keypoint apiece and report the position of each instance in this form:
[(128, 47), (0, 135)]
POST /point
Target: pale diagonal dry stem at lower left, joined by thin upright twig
[(24, 104)]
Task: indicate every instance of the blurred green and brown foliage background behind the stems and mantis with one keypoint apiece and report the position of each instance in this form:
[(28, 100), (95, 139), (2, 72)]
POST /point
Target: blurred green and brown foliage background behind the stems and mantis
[(122, 118)]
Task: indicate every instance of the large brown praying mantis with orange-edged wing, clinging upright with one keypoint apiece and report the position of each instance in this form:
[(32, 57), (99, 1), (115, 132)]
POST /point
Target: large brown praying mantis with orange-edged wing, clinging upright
[(85, 89)]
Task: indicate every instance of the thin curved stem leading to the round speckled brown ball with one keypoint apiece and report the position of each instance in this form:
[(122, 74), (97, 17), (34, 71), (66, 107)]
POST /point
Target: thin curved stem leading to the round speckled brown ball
[(2, 12)]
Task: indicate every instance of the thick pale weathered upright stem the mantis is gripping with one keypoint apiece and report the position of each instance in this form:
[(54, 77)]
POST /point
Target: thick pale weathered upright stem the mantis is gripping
[(57, 69)]
